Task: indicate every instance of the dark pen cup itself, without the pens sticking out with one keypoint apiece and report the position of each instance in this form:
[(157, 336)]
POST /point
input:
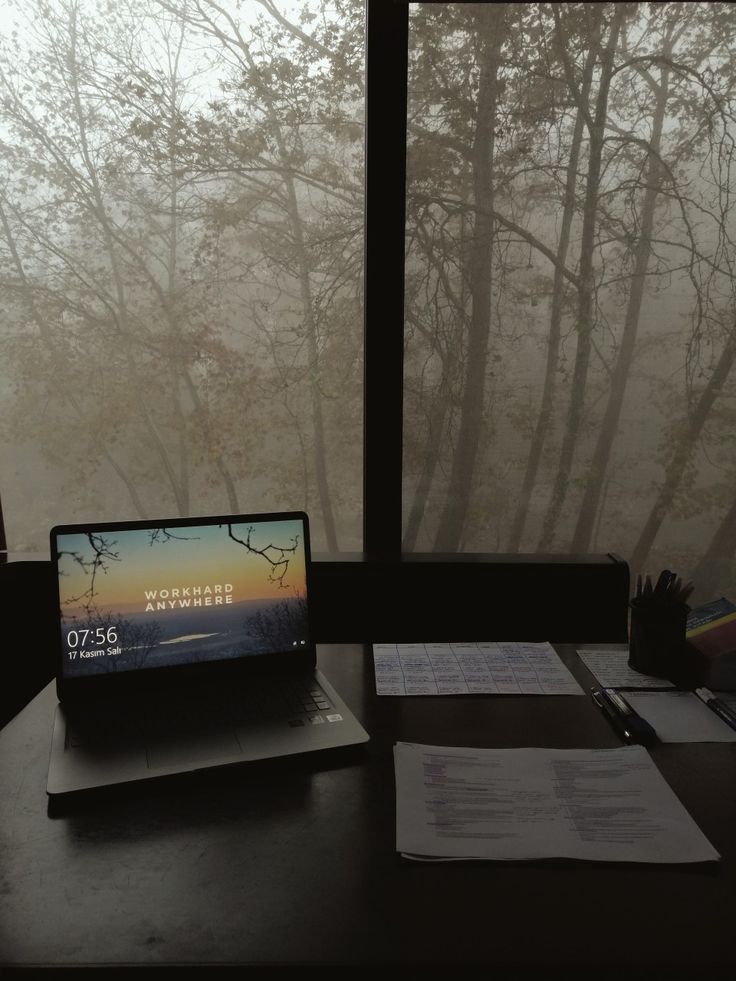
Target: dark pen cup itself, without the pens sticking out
[(657, 643)]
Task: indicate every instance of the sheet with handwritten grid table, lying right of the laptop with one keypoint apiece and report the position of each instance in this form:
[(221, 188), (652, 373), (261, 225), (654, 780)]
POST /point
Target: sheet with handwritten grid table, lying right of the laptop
[(471, 669)]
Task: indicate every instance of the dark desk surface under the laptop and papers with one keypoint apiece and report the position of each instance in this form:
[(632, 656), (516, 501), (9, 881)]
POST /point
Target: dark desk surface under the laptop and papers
[(294, 863)]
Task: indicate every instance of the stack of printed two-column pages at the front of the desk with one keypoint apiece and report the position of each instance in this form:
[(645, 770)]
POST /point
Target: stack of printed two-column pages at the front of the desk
[(609, 805)]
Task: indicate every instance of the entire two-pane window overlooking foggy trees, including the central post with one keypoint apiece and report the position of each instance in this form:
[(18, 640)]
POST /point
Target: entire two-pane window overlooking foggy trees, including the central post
[(547, 275)]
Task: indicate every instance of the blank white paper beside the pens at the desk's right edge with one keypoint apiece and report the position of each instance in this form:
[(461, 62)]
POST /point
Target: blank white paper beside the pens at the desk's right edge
[(680, 717)]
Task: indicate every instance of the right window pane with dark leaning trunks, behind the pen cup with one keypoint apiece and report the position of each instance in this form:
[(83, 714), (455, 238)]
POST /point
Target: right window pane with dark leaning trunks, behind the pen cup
[(569, 283)]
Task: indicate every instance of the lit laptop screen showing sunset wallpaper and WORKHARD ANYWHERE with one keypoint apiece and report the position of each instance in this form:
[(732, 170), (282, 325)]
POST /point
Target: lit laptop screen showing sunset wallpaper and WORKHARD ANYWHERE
[(148, 595)]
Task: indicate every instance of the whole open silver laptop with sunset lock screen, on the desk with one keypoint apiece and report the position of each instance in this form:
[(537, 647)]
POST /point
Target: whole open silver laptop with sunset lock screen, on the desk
[(186, 644)]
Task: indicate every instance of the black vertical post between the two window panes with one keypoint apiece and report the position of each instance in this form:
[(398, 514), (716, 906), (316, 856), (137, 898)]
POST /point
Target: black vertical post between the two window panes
[(386, 83)]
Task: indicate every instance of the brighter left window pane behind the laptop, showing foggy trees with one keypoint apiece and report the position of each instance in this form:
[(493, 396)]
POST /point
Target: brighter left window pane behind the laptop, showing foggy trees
[(181, 248)]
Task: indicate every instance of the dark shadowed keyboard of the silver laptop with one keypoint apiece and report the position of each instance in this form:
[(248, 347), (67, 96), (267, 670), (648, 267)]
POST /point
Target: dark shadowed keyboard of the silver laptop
[(295, 701)]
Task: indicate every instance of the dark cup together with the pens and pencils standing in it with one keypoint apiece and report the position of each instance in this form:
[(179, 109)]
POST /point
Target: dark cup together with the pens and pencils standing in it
[(657, 643)]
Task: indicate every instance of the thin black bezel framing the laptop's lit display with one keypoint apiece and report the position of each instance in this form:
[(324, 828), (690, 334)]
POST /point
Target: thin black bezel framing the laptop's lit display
[(172, 676)]
